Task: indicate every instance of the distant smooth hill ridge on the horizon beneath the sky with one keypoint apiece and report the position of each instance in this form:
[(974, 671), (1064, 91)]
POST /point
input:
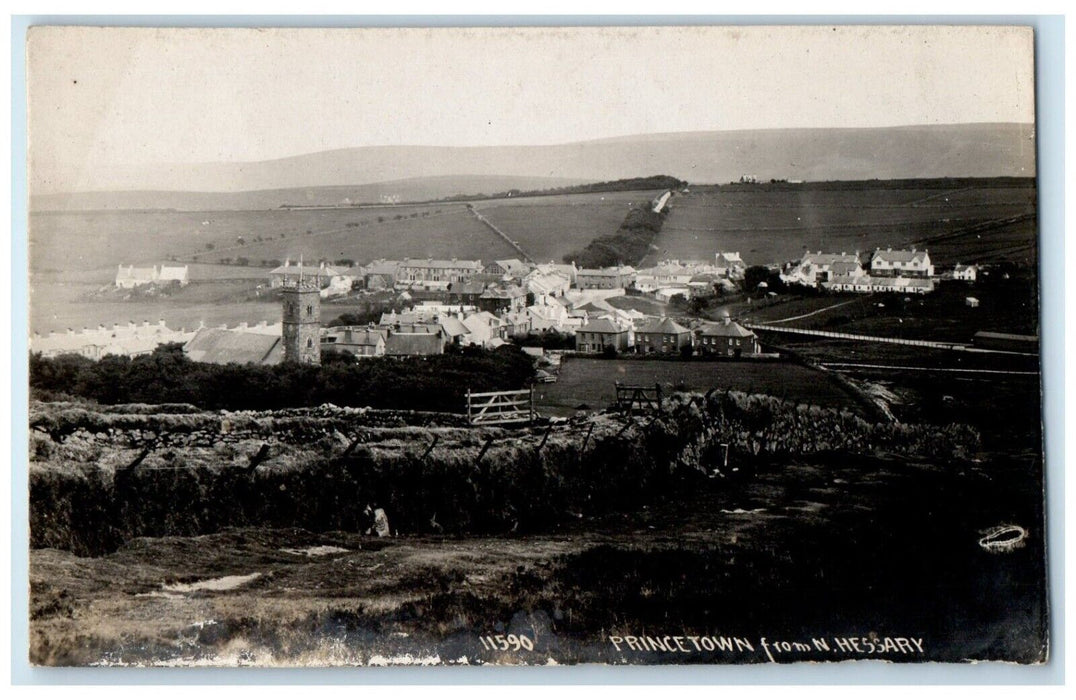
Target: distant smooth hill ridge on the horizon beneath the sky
[(884, 153)]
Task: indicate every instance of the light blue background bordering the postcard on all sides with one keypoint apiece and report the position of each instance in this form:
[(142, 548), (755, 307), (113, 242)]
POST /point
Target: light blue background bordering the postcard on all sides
[(1050, 74)]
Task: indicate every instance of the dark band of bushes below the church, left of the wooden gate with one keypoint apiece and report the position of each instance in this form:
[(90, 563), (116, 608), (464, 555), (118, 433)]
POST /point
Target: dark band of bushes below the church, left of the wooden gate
[(434, 383)]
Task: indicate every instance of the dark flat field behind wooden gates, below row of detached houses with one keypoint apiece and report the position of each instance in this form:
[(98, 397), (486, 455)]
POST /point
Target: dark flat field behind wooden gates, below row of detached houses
[(591, 382)]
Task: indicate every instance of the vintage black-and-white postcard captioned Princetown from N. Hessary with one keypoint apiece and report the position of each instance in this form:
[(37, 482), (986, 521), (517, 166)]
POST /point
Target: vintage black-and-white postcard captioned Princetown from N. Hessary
[(627, 346)]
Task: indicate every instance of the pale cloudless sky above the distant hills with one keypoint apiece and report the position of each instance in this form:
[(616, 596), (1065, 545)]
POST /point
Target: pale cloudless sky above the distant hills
[(105, 98)]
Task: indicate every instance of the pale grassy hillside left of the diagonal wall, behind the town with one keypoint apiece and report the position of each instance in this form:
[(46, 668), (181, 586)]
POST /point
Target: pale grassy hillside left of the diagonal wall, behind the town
[(107, 239)]
